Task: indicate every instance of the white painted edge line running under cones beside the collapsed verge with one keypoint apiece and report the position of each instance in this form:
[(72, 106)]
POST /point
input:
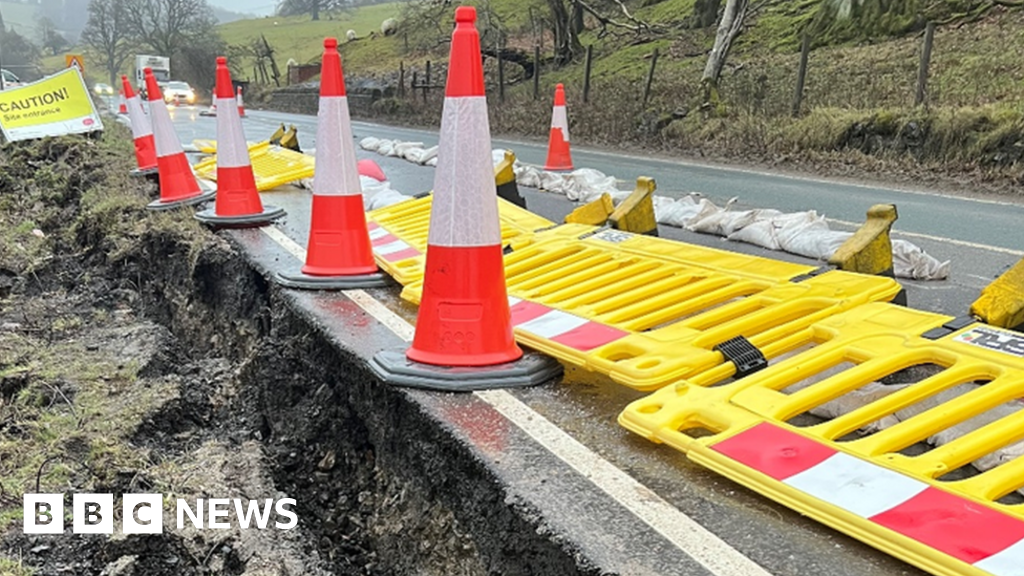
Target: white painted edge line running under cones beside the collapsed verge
[(697, 542)]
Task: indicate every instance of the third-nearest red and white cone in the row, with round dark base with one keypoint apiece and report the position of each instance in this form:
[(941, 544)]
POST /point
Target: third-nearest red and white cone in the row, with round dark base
[(238, 203)]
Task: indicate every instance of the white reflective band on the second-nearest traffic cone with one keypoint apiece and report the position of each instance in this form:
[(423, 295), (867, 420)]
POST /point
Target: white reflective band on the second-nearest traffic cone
[(336, 174)]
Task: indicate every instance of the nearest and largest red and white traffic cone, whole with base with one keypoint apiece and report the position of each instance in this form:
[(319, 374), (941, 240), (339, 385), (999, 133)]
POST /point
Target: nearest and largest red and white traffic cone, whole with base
[(463, 333)]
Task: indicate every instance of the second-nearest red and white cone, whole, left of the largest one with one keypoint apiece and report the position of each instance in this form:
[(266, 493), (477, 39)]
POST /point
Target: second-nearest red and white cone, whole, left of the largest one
[(339, 254)]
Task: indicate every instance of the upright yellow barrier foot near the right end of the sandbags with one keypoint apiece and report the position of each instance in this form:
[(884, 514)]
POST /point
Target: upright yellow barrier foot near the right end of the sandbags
[(870, 251)]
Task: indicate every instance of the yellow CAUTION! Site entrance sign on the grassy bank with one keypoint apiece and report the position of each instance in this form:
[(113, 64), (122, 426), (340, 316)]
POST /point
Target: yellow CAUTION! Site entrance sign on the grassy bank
[(52, 107)]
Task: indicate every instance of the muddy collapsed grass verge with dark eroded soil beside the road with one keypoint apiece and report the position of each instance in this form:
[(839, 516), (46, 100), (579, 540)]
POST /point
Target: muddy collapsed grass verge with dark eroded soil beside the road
[(140, 353)]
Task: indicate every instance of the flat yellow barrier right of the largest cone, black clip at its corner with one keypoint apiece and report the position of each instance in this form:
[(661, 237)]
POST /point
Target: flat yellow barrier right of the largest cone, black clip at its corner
[(648, 311)]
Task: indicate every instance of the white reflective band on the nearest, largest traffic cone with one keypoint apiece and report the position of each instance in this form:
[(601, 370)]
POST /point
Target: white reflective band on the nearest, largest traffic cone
[(470, 219)]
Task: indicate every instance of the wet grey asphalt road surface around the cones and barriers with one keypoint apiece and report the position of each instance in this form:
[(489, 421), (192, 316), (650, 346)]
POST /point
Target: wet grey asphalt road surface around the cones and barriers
[(980, 238)]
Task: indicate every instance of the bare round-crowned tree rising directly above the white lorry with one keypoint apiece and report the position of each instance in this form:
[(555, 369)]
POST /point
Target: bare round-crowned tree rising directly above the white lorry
[(169, 26)]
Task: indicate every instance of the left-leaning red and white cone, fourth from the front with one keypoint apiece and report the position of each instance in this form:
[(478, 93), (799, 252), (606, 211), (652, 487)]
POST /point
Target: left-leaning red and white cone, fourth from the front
[(178, 183)]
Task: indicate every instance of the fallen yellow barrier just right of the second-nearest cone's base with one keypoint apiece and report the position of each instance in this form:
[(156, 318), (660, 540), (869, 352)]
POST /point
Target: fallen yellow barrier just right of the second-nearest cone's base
[(399, 234)]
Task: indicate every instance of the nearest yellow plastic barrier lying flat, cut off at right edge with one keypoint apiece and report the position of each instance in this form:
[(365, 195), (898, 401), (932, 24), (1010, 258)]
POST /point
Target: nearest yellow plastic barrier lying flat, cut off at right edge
[(926, 506)]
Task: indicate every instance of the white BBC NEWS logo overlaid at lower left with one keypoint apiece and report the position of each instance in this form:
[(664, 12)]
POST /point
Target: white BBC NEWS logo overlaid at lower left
[(144, 514)]
